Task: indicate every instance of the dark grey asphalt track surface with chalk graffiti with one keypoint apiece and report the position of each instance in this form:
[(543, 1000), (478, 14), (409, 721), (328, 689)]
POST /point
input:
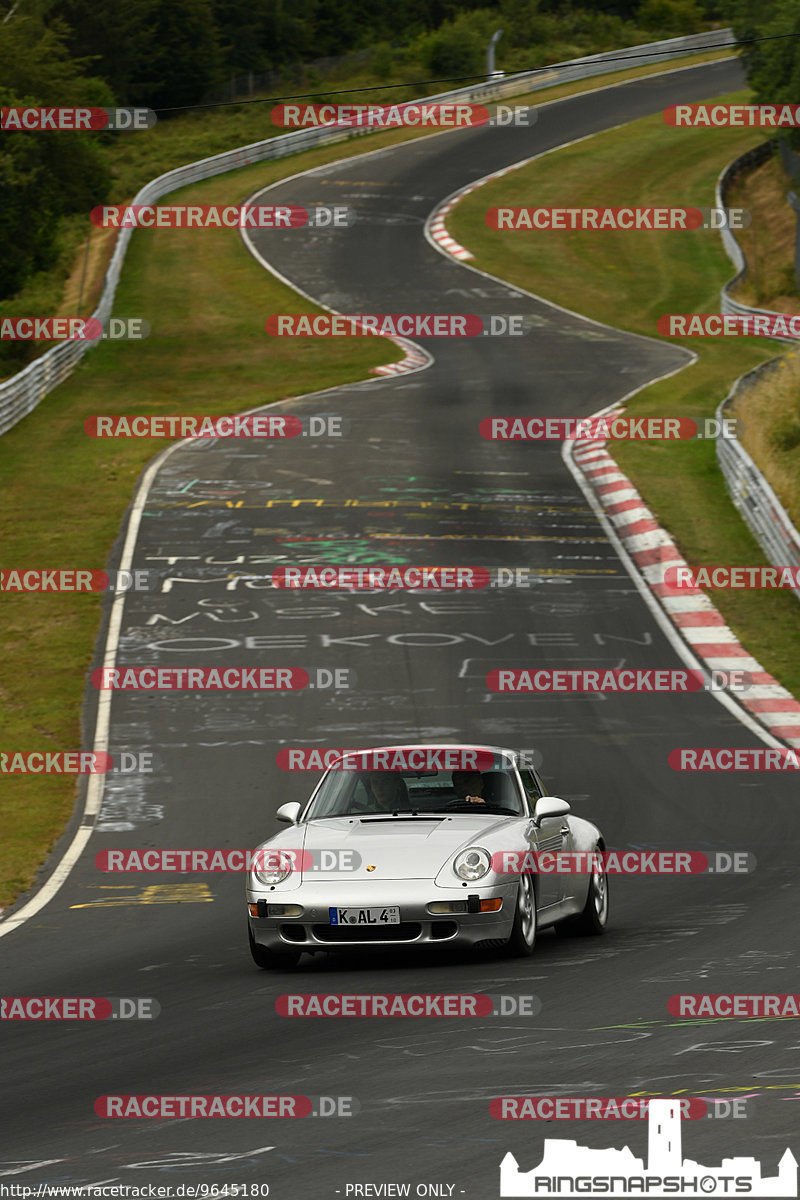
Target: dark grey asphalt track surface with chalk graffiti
[(411, 483)]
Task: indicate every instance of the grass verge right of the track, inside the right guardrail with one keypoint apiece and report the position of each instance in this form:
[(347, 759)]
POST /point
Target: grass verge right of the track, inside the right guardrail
[(629, 280)]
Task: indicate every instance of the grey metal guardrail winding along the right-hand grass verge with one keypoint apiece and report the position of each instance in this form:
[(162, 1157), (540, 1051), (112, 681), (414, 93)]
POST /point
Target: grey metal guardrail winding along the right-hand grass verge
[(757, 503)]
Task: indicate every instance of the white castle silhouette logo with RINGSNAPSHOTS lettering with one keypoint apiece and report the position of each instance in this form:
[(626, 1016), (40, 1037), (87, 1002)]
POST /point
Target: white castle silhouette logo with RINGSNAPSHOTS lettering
[(570, 1171)]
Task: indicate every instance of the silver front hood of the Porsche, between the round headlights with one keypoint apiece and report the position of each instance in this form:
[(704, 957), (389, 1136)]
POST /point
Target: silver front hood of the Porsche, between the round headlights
[(398, 848)]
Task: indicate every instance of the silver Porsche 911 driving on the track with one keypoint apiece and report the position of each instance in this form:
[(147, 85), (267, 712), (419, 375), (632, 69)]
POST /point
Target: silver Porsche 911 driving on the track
[(417, 845)]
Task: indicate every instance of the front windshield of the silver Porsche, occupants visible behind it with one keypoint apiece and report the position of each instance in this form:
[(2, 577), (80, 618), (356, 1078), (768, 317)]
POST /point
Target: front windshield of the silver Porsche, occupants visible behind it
[(375, 793)]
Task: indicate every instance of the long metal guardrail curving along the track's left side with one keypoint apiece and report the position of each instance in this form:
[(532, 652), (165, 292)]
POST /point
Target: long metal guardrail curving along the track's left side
[(23, 392)]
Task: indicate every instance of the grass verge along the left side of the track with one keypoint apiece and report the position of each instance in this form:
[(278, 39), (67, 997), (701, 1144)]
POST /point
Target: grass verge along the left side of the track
[(64, 495)]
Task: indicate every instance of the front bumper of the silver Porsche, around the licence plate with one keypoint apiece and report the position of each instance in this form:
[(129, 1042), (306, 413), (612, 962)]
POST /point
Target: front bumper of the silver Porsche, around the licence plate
[(419, 927)]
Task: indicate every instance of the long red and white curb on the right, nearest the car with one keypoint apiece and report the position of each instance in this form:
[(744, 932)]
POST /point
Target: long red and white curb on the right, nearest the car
[(693, 614)]
